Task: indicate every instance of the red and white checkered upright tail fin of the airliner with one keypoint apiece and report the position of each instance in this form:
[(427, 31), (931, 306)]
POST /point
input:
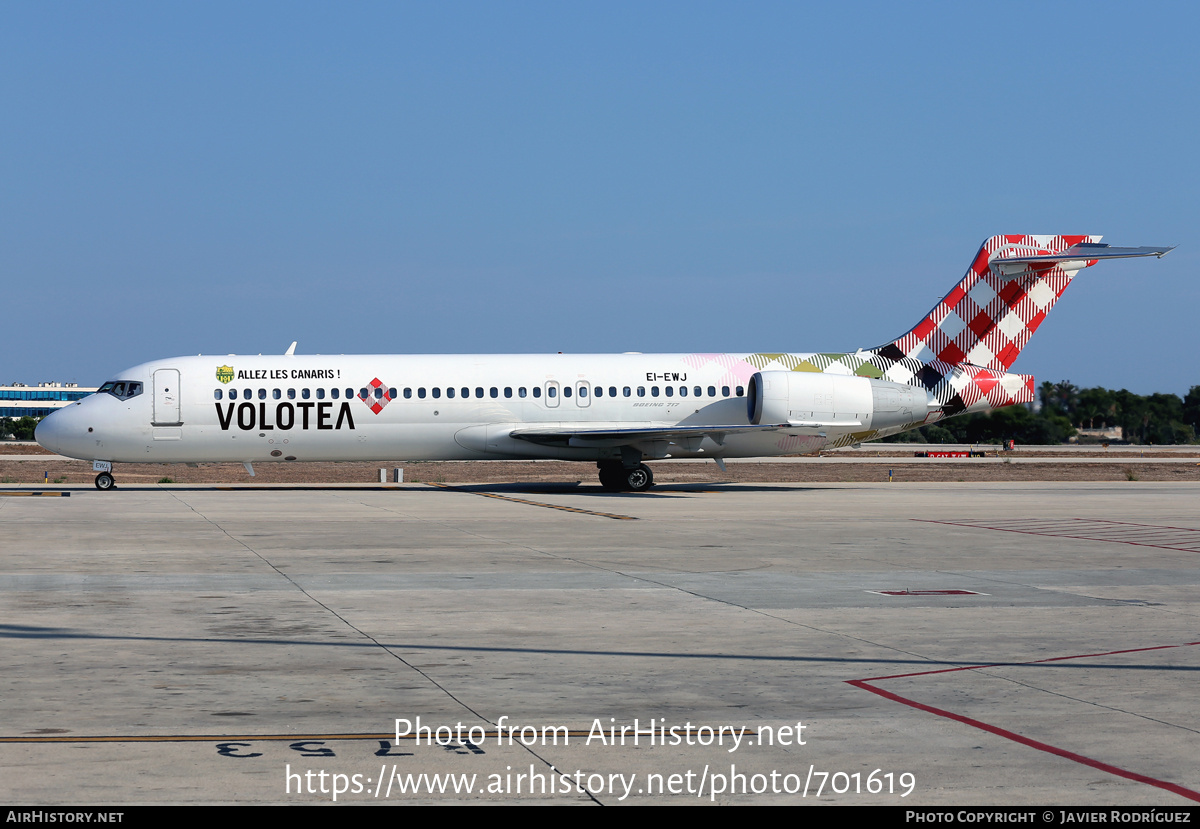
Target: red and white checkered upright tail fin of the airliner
[(1010, 289)]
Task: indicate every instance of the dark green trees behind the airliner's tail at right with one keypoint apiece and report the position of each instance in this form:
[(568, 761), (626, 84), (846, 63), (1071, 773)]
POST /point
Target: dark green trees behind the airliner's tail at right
[(1066, 409)]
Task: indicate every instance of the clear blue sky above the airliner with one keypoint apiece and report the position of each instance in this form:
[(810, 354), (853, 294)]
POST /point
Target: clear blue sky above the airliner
[(537, 177)]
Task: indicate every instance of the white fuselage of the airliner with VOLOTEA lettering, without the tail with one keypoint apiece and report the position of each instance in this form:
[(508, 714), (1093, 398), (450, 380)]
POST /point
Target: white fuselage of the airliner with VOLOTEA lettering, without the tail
[(446, 407)]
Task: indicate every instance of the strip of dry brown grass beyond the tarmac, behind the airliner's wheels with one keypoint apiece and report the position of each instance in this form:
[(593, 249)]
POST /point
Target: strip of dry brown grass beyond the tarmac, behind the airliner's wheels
[(520, 472)]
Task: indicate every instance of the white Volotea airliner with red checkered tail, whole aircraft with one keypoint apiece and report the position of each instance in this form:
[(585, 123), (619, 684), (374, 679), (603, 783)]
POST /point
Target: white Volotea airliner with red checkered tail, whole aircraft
[(615, 411)]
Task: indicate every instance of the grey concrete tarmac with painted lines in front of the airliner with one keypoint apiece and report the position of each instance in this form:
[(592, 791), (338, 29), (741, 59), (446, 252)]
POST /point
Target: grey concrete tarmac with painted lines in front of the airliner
[(830, 644)]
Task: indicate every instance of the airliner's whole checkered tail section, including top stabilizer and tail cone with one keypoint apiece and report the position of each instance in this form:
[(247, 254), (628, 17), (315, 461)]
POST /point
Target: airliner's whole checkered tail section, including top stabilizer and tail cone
[(962, 351)]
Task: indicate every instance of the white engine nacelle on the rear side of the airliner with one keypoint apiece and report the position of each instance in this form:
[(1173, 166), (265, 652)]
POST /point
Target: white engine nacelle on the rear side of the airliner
[(800, 398)]
